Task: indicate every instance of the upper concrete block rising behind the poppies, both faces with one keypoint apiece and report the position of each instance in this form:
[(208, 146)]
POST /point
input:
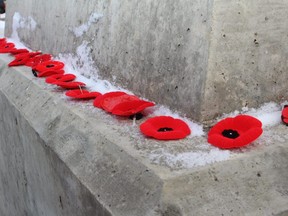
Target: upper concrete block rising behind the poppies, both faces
[(201, 57)]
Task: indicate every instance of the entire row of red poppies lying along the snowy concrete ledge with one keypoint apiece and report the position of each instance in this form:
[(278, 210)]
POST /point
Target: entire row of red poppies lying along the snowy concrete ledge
[(228, 133)]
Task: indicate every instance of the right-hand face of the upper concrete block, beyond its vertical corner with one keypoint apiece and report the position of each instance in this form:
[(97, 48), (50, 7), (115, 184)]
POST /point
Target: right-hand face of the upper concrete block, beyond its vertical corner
[(248, 55)]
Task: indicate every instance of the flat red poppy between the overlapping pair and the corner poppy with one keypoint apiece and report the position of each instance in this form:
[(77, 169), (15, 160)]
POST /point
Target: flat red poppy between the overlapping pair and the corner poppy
[(165, 128)]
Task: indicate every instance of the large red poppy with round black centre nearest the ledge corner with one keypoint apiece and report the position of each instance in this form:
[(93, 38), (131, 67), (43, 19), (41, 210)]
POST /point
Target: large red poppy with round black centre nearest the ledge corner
[(235, 132)]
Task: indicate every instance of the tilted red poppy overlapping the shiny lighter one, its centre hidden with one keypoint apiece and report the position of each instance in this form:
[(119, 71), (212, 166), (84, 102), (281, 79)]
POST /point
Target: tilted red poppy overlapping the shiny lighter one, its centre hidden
[(129, 108)]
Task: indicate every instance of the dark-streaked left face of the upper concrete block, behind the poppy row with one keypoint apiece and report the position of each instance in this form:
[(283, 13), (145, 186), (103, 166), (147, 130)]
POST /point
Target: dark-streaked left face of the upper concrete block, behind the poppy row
[(157, 49)]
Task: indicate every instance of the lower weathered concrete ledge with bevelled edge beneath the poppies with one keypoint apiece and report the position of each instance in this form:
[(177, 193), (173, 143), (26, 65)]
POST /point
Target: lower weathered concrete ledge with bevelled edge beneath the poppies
[(59, 157)]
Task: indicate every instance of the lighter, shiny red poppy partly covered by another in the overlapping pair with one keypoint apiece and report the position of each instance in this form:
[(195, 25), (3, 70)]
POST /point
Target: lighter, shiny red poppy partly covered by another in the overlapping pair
[(108, 103)]
